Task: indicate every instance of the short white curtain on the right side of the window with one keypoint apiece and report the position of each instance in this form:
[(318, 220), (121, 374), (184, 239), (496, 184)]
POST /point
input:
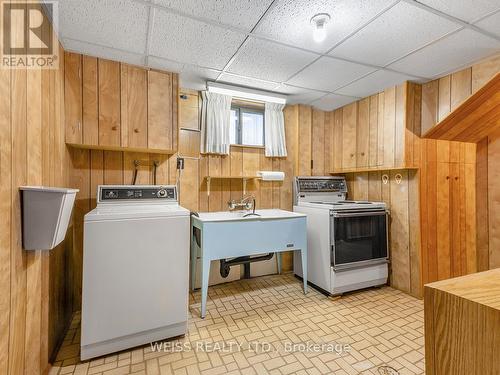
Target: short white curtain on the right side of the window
[(274, 130)]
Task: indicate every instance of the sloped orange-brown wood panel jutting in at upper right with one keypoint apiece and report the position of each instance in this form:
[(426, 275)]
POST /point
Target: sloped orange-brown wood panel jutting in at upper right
[(472, 120)]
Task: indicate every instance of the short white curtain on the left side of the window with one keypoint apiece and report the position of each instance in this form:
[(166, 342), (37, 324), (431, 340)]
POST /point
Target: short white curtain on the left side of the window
[(215, 123)]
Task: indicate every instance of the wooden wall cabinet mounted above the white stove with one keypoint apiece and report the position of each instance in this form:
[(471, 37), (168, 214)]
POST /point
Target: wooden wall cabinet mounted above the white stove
[(377, 132)]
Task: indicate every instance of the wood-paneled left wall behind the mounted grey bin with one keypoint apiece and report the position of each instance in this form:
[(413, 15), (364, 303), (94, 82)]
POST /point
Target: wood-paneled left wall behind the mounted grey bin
[(35, 307)]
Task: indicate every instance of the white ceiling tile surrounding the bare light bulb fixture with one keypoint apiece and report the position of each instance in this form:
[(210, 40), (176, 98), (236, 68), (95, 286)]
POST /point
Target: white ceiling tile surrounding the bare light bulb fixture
[(289, 20)]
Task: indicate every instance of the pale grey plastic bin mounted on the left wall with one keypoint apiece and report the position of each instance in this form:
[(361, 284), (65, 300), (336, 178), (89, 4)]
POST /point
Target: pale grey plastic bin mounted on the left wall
[(46, 214)]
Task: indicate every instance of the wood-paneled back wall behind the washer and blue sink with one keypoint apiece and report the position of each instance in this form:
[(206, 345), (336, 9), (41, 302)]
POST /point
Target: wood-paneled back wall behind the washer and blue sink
[(90, 168)]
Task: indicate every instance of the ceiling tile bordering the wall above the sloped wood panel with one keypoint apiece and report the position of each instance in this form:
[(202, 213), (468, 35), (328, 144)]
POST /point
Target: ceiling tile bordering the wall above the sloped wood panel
[(448, 54)]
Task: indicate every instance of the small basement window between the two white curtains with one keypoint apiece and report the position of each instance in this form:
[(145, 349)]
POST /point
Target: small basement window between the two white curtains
[(247, 126)]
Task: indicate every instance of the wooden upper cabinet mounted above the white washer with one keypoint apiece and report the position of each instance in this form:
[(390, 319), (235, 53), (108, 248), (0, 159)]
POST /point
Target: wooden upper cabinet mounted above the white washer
[(115, 106)]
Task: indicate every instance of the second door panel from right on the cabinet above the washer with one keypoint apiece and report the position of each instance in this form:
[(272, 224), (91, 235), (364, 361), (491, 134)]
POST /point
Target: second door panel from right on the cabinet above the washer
[(134, 97)]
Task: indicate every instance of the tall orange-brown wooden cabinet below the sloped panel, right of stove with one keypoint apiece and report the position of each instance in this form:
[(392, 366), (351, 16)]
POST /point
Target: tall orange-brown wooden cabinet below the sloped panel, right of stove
[(448, 215)]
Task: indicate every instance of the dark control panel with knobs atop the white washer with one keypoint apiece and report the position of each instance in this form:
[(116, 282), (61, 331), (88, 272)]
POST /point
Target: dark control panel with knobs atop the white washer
[(108, 193)]
